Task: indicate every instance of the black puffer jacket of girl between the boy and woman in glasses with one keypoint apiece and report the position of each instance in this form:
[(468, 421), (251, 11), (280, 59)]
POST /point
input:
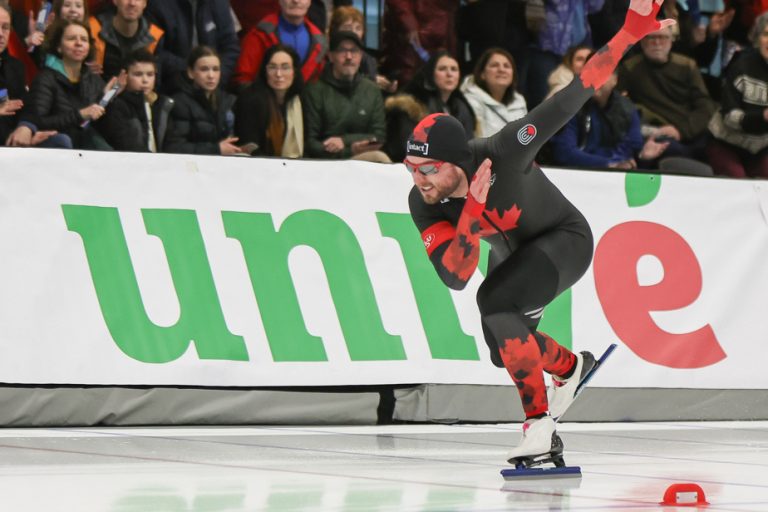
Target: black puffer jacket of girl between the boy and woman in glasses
[(195, 125)]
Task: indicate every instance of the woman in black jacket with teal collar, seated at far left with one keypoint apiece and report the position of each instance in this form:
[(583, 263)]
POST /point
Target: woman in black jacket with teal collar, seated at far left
[(65, 94)]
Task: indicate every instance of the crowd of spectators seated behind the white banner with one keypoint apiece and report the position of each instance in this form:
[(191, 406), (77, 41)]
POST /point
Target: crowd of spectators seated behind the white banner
[(294, 78)]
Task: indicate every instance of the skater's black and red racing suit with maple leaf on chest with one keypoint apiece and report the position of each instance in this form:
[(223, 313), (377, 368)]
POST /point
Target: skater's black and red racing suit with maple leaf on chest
[(540, 244)]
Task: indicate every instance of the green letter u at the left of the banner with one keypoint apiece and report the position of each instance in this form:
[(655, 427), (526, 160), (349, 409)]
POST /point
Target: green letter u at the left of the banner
[(200, 321)]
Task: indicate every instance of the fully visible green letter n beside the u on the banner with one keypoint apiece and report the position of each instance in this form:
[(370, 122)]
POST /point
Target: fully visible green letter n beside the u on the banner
[(266, 255)]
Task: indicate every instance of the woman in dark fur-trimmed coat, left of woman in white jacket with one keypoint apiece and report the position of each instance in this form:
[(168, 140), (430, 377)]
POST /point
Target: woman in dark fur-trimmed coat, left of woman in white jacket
[(435, 88)]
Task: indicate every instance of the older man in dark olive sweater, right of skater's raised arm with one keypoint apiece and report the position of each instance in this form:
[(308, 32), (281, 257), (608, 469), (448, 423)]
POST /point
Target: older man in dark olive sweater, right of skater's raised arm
[(671, 95)]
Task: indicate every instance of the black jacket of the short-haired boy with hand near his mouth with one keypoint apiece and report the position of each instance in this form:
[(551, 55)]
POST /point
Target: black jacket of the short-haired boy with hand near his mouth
[(126, 127)]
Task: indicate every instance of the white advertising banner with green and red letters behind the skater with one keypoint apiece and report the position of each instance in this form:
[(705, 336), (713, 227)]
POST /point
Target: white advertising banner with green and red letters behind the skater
[(131, 269)]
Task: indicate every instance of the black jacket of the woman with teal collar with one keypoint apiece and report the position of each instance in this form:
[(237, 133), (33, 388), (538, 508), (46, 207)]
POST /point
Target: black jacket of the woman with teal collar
[(55, 102)]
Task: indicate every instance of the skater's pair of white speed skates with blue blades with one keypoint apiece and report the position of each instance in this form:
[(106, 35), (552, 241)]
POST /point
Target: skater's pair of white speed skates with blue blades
[(540, 443)]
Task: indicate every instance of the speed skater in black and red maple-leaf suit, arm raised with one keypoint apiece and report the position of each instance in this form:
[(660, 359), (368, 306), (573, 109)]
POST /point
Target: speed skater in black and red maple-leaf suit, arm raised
[(491, 188)]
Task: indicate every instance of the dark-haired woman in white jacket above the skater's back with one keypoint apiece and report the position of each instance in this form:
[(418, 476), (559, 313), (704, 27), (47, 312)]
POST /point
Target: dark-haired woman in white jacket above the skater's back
[(491, 92)]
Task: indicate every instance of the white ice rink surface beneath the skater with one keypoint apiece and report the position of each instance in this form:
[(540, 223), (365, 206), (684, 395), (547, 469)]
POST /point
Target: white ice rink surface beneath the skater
[(625, 466)]
